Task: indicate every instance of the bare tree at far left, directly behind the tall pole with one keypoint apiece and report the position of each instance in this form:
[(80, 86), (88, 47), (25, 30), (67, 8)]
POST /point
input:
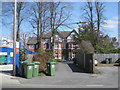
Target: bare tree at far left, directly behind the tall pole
[(8, 11)]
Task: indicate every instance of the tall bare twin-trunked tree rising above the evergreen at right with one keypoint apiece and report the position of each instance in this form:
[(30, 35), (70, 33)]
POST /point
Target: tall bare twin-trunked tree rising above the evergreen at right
[(93, 13)]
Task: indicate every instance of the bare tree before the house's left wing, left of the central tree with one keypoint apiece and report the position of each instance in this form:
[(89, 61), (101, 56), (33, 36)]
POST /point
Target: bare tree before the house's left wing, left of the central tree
[(39, 19)]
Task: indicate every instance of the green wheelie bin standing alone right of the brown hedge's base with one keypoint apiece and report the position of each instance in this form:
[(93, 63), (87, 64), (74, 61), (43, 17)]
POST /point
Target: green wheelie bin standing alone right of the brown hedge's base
[(51, 68)]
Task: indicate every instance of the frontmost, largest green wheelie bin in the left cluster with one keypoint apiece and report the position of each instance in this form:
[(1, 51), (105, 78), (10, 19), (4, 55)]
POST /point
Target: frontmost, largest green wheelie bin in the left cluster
[(28, 69)]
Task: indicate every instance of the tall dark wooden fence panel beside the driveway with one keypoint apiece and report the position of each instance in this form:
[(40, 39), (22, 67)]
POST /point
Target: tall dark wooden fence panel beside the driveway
[(85, 62)]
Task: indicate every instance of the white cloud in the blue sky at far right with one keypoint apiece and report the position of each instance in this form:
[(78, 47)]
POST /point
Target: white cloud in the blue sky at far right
[(110, 24)]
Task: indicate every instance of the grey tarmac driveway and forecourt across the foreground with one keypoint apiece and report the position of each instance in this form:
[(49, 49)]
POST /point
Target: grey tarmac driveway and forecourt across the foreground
[(69, 76)]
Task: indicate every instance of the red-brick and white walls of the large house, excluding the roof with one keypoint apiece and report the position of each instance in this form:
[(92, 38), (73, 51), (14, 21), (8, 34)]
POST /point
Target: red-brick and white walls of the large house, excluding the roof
[(61, 42)]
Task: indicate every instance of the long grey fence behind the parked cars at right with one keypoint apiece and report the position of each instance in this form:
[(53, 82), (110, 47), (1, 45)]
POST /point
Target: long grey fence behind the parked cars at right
[(101, 57)]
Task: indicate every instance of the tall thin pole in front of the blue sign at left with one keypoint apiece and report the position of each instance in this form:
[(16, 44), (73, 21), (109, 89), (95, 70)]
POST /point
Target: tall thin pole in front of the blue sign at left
[(14, 40)]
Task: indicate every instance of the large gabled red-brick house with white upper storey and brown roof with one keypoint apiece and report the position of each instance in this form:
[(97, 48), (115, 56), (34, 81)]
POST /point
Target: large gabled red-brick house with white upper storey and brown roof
[(64, 44)]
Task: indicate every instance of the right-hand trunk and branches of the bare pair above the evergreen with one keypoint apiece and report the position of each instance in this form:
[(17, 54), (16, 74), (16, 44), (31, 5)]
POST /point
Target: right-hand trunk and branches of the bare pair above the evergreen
[(99, 11)]
